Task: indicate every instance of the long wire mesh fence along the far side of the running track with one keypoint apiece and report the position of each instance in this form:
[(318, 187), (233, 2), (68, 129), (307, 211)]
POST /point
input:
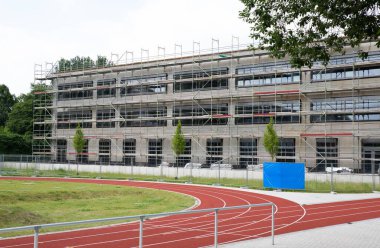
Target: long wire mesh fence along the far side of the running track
[(217, 174)]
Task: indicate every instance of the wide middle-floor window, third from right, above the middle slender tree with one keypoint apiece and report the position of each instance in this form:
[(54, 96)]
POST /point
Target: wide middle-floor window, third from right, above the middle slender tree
[(206, 114)]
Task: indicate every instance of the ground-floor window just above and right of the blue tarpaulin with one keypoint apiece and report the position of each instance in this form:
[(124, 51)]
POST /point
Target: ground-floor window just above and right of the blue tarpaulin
[(327, 153)]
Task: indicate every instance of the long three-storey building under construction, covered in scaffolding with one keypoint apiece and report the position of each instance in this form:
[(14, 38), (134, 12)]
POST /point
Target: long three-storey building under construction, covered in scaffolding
[(224, 97)]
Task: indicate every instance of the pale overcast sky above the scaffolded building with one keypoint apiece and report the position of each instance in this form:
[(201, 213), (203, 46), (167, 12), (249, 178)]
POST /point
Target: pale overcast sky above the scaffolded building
[(40, 31)]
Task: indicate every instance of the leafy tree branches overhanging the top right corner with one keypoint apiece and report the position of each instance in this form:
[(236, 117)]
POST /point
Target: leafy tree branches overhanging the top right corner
[(310, 30)]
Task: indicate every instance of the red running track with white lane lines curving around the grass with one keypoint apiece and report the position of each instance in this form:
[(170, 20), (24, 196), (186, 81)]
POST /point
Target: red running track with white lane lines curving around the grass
[(197, 230)]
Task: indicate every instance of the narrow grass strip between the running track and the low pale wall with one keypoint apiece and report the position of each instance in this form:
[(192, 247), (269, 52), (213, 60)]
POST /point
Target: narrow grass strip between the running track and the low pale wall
[(311, 185)]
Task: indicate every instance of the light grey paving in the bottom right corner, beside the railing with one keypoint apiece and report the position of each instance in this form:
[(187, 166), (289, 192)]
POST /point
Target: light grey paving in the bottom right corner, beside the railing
[(357, 234)]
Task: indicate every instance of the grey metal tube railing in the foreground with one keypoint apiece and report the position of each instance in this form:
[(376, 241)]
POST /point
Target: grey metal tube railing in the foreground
[(141, 218)]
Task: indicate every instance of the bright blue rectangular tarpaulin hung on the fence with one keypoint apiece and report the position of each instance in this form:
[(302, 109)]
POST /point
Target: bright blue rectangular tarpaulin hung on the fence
[(284, 175)]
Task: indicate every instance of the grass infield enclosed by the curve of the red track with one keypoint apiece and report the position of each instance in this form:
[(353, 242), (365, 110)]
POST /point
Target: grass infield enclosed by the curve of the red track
[(32, 202)]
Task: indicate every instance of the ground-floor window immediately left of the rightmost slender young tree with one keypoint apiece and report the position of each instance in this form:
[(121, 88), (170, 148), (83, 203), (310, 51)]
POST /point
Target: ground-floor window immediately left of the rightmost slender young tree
[(248, 152)]
